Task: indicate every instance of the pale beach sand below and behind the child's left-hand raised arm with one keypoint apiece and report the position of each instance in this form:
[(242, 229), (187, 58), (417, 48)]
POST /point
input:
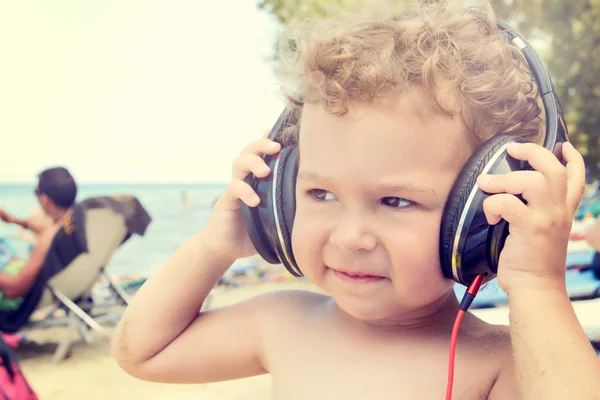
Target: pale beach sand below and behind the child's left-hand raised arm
[(91, 374)]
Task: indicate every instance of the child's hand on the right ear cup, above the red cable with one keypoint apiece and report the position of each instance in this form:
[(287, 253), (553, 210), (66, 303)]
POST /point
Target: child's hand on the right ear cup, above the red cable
[(534, 254)]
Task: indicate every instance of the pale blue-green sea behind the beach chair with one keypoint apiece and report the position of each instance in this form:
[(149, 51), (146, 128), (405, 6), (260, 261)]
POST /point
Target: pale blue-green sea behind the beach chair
[(172, 221)]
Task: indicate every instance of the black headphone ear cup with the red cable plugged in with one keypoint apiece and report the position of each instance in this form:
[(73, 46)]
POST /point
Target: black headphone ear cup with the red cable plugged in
[(468, 245)]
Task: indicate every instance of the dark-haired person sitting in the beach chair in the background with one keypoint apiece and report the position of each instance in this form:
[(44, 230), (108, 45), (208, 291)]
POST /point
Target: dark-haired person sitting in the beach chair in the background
[(56, 192)]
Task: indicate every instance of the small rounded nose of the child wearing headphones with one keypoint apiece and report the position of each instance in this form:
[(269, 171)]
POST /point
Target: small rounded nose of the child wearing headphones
[(351, 232)]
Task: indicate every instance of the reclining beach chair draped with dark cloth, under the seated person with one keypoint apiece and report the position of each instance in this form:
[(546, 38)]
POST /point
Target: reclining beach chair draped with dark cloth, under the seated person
[(98, 228)]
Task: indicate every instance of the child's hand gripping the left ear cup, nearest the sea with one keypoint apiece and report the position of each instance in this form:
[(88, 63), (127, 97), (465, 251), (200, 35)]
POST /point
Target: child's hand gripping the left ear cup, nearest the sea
[(225, 235)]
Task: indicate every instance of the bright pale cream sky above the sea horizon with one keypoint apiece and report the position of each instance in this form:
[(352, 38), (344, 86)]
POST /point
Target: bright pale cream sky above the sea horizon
[(133, 91)]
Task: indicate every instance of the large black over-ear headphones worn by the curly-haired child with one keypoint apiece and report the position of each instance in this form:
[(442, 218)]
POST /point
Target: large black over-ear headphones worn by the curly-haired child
[(469, 246)]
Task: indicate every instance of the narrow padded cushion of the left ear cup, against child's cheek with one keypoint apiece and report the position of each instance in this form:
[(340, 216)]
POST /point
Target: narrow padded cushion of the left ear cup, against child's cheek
[(285, 206)]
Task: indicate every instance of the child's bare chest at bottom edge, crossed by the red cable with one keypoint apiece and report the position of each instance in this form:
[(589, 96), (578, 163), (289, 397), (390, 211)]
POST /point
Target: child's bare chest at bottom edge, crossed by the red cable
[(344, 369)]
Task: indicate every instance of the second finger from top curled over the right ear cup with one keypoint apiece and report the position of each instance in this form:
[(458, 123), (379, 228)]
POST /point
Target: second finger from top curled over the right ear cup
[(531, 185)]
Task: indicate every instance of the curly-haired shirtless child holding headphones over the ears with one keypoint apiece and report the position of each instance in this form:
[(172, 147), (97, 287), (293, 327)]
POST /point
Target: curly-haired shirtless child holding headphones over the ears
[(392, 109)]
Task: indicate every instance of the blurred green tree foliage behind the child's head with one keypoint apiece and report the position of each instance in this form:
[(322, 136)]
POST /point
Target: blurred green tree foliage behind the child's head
[(566, 33)]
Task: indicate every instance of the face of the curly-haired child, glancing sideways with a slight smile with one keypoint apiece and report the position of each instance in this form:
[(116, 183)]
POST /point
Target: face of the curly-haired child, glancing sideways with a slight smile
[(371, 190)]
